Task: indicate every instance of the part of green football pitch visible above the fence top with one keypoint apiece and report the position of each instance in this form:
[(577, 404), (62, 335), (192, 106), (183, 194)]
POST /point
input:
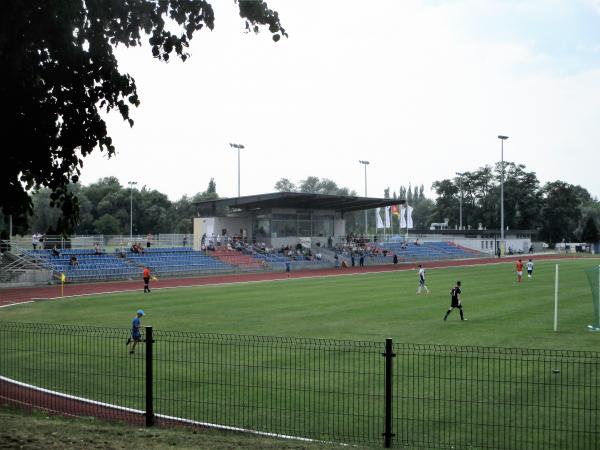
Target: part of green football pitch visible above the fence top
[(369, 306)]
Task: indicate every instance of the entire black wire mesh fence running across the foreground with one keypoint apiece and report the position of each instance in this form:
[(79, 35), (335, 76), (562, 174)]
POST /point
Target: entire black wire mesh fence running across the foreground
[(356, 392)]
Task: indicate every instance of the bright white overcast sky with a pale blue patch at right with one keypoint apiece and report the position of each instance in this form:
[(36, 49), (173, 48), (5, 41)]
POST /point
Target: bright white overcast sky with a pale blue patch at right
[(419, 88)]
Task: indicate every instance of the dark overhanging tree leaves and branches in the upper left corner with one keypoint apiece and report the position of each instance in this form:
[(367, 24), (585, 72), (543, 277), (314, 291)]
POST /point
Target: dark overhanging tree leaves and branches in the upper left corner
[(59, 73)]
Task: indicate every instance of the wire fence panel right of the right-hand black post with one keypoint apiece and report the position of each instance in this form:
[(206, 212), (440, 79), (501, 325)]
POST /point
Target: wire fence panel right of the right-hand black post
[(475, 397)]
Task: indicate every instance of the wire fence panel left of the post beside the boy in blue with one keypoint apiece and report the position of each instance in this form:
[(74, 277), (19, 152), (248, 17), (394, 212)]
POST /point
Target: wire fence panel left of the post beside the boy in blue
[(83, 370)]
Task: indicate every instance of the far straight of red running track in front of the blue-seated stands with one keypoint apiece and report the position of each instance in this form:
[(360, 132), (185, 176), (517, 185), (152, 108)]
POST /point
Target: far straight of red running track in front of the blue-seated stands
[(10, 296)]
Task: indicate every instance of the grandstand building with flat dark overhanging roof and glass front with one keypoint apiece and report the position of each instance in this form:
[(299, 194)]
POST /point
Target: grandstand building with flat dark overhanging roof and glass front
[(282, 218)]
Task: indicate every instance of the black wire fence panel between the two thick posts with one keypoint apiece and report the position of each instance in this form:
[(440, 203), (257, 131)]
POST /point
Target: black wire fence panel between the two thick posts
[(317, 389)]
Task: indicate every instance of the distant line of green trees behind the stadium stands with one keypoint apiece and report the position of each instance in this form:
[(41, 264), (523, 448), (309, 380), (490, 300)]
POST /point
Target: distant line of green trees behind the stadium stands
[(555, 210)]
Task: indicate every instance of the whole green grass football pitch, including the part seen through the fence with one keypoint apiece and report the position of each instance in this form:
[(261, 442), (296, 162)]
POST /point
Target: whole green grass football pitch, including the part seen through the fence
[(333, 390)]
